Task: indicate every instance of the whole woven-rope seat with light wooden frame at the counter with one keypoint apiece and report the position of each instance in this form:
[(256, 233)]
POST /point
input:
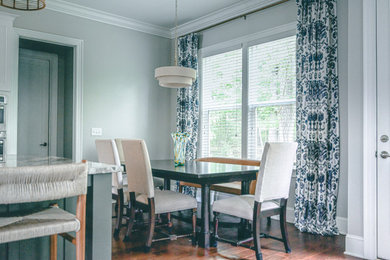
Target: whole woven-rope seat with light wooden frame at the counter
[(43, 183)]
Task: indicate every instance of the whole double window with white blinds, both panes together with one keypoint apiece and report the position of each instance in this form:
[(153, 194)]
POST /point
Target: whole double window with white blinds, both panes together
[(263, 108)]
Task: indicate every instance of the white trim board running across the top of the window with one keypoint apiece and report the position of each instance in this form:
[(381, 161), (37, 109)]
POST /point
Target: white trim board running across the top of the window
[(281, 31)]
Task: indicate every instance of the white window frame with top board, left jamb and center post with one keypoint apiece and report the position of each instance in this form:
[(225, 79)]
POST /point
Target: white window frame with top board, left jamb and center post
[(243, 43)]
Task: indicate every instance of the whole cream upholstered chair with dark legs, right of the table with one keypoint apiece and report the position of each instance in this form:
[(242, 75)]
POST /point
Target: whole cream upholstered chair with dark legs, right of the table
[(270, 198)]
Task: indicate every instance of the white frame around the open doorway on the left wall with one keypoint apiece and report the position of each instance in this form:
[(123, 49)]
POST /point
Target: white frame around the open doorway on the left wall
[(78, 54)]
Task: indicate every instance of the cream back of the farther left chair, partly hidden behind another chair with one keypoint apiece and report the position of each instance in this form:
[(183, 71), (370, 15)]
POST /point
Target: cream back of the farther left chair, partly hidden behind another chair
[(108, 153)]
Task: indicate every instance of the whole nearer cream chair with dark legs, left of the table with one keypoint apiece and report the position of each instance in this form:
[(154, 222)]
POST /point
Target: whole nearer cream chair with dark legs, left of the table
[(139, 174)]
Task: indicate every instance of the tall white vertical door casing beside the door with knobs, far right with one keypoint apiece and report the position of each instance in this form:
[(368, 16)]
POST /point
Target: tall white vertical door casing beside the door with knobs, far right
[(369, 132)]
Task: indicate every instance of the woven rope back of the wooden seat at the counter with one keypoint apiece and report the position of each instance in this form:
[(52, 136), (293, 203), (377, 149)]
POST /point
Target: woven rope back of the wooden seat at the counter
[(42, 183)]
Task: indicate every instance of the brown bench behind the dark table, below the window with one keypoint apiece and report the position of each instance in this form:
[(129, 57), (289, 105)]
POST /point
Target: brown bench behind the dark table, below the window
[(231, 187)]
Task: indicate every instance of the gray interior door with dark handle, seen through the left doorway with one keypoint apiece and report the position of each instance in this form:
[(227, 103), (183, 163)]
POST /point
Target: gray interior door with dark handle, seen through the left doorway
[(36, 107)]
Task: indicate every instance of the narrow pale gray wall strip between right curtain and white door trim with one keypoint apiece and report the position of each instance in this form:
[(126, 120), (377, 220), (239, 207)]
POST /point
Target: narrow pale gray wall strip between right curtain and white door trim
[(355, 118)]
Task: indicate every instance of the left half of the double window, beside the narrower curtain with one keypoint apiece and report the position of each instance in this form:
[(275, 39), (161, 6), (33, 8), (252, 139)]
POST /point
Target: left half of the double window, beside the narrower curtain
[(221, 104)]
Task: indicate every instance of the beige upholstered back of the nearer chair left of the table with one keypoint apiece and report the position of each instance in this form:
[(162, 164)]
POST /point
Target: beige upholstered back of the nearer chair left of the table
[(138, 169)]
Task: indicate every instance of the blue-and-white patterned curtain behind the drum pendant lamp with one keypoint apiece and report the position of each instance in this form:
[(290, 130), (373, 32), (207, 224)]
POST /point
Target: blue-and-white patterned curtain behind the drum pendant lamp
[(187, 108)]
